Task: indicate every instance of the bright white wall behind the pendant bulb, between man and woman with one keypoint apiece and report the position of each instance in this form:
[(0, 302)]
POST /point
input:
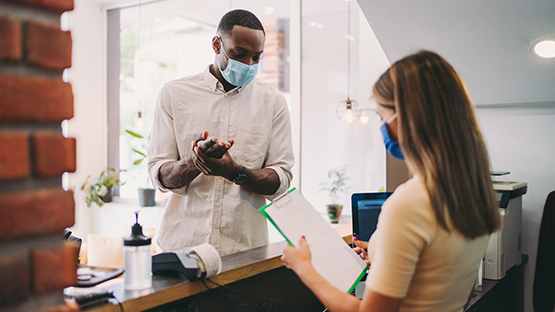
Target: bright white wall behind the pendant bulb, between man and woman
[(328, 142)]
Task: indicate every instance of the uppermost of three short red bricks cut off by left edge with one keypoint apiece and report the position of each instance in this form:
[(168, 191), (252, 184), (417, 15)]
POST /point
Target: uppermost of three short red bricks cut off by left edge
[(10, 44)]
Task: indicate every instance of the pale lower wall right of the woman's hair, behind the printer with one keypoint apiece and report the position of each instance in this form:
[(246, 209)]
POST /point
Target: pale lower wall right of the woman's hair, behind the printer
[(521, 140)]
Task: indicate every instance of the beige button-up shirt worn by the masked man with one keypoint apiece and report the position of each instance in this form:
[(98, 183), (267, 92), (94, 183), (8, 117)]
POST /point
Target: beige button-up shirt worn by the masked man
[(212, 209)]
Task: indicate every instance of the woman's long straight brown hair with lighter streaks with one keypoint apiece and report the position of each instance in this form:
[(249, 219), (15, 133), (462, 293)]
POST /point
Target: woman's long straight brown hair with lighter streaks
[(441, 141)]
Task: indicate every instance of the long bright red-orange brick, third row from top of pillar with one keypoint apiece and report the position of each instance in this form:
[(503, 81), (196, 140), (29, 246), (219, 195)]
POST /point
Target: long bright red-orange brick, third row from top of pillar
[(40, 99)]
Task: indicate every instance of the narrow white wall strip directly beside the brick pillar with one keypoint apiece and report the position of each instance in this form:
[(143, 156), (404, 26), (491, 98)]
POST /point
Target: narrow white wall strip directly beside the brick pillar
[(88, 125)]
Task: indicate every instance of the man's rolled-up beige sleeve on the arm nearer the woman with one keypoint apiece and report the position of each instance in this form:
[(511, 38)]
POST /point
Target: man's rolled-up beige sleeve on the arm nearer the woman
[(280, 156)]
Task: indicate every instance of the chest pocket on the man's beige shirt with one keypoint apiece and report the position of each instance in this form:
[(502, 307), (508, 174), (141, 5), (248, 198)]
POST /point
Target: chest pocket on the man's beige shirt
[(253, 141)]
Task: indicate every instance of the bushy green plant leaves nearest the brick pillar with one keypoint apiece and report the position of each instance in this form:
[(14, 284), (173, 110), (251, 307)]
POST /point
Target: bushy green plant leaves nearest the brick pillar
[(100, 190)]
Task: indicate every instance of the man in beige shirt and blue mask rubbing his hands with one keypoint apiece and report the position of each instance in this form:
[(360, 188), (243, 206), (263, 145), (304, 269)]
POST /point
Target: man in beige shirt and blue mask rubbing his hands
[(218, 184)]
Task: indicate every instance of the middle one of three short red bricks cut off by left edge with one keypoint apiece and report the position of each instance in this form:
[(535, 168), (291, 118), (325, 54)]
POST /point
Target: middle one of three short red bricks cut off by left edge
[(14, 155)]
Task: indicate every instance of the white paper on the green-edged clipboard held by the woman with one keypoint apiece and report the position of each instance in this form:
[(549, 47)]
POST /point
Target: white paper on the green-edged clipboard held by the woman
[(331, 256)]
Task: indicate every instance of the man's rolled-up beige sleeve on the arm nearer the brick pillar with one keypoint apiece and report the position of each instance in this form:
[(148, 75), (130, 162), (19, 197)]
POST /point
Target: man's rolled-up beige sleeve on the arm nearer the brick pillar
[(162, 146)]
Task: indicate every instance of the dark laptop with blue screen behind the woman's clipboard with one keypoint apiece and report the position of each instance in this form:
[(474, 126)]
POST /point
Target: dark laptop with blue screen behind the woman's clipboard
[(366, 208)]
